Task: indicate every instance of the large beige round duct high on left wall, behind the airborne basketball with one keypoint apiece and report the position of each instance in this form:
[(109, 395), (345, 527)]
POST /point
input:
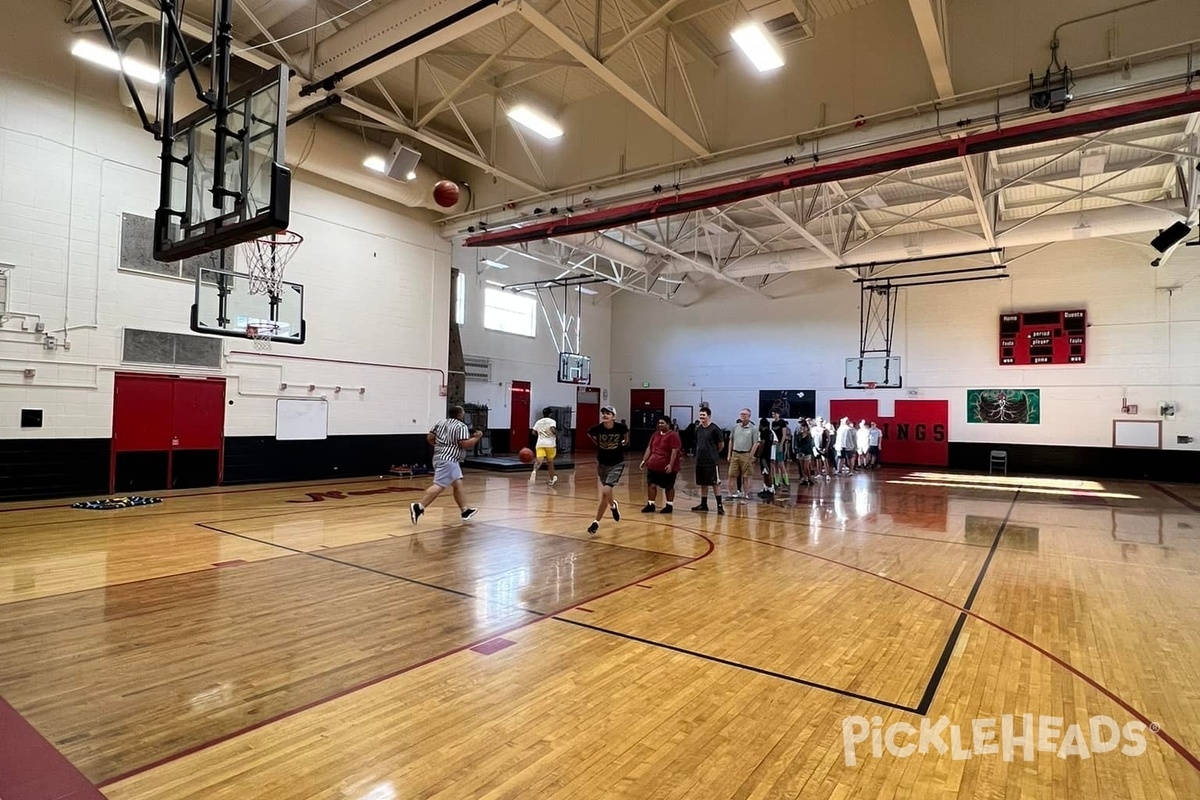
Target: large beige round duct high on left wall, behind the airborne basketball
[(332, 152)]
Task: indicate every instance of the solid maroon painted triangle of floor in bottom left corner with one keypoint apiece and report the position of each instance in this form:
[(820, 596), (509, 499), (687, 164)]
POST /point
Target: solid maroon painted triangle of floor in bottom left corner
[(31, 767)]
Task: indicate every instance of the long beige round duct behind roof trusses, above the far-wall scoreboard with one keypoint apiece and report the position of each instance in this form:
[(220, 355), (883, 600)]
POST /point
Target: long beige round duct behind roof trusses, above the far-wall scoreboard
[(1051, 228)]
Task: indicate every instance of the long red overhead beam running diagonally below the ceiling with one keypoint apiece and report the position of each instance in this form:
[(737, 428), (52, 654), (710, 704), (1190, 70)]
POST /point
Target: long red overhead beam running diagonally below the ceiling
[(1033, 134)]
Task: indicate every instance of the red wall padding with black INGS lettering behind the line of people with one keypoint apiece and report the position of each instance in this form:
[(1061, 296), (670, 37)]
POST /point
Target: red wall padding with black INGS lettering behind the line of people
[(917, 435)]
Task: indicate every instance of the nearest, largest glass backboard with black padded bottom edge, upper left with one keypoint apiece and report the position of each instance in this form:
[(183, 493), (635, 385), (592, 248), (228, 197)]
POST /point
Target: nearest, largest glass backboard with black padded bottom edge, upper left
[(253, 197)]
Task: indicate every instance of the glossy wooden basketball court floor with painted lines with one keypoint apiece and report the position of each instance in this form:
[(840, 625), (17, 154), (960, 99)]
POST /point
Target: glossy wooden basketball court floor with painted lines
[(307, 641)]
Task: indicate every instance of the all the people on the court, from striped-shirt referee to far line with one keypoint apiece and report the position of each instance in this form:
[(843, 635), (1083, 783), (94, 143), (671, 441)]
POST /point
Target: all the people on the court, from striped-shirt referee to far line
[(819, 448)]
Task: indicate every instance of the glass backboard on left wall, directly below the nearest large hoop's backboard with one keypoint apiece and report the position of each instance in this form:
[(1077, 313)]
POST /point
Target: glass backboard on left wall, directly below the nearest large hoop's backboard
[(226, 306)]
